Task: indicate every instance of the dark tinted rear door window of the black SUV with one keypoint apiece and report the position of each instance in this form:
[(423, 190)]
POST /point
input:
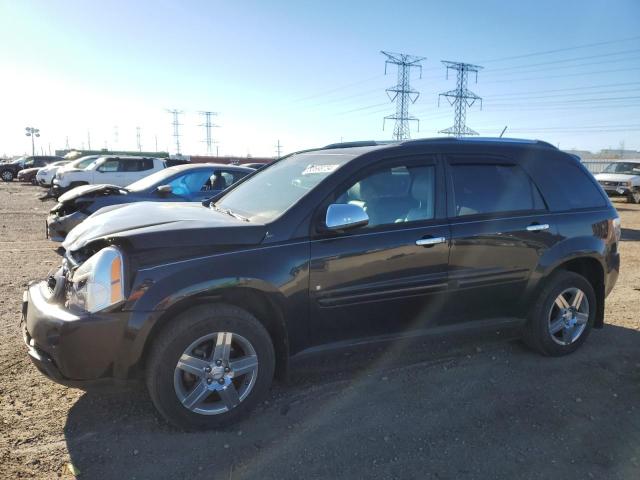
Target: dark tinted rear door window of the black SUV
[(488, 188)]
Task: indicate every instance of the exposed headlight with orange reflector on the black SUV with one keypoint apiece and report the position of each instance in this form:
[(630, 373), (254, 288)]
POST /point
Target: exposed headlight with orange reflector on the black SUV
[(99, 282)]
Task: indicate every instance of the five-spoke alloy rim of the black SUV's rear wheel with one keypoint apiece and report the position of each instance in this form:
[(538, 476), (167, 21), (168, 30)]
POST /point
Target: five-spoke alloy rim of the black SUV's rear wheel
[(568, 316)]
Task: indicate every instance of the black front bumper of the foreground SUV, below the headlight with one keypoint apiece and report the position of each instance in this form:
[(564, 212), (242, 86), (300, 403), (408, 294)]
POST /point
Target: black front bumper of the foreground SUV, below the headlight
[(72, 349)]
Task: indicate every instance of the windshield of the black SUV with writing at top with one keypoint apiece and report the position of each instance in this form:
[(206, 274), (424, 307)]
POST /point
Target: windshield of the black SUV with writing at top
[(272, 191)]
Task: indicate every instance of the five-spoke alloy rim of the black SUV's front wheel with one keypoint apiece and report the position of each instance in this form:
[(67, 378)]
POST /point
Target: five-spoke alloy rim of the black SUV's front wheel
[(215, 373)]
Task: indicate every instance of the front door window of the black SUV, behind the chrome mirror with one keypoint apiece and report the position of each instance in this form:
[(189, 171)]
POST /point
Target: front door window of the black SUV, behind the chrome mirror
[(394, 195)]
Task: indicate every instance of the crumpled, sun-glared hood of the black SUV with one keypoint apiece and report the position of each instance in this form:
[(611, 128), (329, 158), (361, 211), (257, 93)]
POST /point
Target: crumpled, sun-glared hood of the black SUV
[(164, 225)]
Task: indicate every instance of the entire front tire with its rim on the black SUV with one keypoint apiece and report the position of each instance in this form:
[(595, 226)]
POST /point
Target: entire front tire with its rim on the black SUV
[(170, 386)]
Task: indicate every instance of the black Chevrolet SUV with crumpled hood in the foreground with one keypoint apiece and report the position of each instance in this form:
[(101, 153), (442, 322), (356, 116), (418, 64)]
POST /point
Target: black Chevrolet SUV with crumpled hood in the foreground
[(320, 250)]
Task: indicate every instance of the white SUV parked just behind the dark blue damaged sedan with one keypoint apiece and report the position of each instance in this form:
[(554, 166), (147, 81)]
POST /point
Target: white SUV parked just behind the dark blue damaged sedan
[(109, 170)]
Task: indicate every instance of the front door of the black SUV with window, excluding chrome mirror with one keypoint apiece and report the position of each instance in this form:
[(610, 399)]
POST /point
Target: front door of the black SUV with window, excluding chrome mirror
[(391, 276)]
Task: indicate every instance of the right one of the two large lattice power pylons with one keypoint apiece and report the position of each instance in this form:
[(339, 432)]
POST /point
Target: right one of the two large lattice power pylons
[(460, 97)]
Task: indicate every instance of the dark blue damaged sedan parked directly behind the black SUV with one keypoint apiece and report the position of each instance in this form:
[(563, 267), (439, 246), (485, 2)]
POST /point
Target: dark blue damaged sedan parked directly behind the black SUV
[(190, 183)]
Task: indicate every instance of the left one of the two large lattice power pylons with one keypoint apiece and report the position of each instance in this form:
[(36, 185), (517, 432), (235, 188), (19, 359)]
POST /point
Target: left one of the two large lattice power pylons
[(402, 93)]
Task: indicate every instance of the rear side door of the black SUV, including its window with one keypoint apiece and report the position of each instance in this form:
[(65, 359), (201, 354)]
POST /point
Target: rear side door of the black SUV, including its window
[(500, 226)]
